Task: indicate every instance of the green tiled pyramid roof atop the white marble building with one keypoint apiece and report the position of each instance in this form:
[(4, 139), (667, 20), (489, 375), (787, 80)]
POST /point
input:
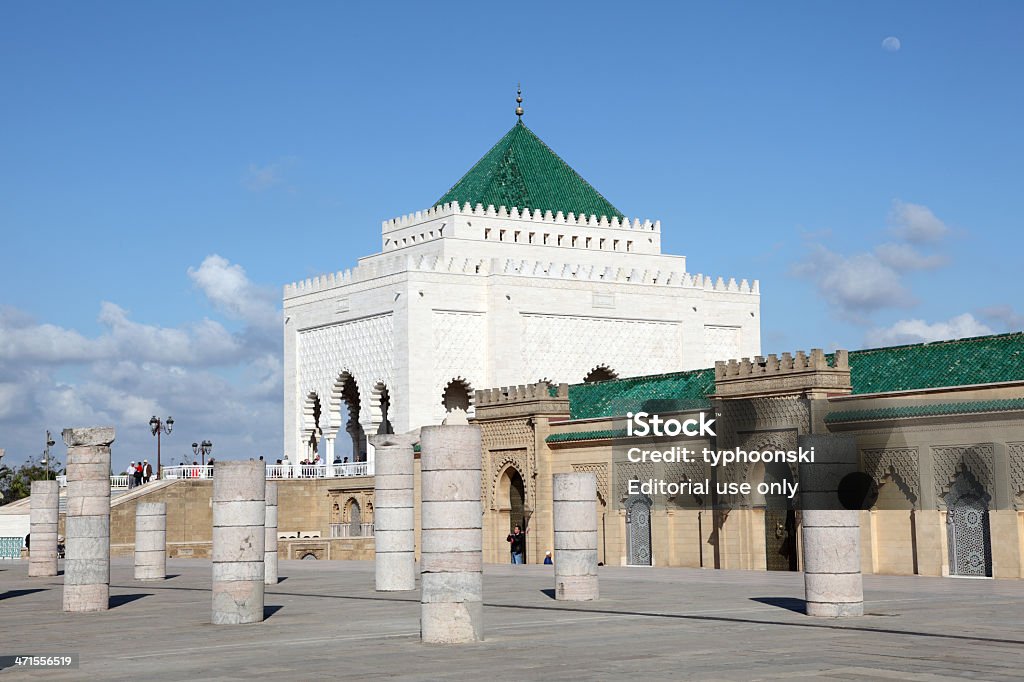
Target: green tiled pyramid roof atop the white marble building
[(522, 172)]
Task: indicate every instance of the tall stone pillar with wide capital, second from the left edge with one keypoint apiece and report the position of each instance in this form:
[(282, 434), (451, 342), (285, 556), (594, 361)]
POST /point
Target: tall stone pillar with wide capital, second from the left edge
[(88, 524)]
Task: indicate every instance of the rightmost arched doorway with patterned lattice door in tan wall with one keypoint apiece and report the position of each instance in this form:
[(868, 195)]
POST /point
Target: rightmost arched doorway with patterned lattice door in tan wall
[(967, 528)]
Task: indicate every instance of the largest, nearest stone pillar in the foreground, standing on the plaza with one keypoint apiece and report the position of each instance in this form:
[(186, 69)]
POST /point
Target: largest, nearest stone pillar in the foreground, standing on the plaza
[(452, 557)]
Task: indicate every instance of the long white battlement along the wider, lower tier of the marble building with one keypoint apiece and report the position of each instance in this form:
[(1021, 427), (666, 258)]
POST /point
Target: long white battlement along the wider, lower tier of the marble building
[(516, 268)]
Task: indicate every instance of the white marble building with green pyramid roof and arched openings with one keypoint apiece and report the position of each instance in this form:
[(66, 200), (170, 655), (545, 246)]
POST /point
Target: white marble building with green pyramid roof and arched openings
[(486, 289)]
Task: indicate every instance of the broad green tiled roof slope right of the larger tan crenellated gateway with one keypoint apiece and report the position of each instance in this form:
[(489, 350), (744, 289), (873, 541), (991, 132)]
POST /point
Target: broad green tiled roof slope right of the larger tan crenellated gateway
[(982, 360)]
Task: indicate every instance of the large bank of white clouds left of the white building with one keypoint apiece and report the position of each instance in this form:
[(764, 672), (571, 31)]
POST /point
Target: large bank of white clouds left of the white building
[(219, 386)]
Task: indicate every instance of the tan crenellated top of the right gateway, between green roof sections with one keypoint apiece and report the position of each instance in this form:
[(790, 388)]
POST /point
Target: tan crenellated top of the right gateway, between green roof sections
[(790, 374)]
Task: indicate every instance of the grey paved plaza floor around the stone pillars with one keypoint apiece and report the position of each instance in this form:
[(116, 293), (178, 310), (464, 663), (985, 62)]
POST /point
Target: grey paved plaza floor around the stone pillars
[(324, 619)]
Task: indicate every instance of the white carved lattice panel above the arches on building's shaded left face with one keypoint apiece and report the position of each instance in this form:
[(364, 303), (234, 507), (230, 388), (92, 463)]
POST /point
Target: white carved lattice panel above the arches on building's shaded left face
[(364, 348)]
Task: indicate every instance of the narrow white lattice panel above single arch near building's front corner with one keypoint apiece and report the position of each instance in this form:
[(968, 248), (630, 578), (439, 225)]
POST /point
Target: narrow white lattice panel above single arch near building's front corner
[(460, 345)]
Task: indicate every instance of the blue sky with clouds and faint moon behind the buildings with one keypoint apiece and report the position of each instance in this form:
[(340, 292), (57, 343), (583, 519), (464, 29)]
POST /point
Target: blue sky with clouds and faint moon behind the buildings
[(166, 167)]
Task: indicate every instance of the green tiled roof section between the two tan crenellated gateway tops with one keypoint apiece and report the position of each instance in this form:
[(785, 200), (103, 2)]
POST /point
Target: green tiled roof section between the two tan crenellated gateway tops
[(658, 394)]
